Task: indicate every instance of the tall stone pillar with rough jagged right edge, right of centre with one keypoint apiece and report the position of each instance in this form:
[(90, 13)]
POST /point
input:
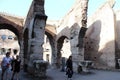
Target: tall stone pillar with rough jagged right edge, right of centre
[(77, 35)]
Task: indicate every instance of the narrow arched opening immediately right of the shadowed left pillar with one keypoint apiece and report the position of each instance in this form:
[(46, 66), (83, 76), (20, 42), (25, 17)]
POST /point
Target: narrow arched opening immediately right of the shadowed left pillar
[(49, 48)]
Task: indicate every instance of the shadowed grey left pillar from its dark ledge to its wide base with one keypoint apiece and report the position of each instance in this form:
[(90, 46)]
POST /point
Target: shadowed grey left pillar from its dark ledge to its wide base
[(36, 65)]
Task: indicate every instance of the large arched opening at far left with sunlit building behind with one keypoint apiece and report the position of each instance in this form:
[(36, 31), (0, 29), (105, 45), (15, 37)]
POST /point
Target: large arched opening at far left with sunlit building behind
[(9, 40)]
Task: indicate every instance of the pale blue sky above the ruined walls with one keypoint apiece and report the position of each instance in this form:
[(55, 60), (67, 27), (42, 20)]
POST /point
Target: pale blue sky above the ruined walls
[(54, 9)]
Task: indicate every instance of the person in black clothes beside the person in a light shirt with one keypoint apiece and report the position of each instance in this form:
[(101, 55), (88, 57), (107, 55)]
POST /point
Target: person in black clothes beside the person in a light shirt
[(16, 67)]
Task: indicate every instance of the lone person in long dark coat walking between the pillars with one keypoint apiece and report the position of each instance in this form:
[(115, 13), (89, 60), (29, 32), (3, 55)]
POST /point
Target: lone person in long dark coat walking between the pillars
[(69, 67)]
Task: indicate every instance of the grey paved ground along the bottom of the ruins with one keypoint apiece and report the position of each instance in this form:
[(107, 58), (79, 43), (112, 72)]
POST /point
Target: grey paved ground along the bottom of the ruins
[(56, 74)]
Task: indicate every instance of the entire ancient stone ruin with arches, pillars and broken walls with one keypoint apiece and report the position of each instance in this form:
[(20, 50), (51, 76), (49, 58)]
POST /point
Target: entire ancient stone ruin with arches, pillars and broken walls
[(92, 42)]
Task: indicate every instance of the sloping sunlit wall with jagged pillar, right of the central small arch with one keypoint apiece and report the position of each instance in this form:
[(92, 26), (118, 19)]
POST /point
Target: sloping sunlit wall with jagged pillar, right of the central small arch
[(70, 25)]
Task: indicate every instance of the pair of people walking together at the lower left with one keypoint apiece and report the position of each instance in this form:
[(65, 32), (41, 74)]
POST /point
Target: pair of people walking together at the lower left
[(9, 65)]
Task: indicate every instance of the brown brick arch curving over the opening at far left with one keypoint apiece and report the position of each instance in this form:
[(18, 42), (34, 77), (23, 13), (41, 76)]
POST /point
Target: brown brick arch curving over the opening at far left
[(15, 24)]
